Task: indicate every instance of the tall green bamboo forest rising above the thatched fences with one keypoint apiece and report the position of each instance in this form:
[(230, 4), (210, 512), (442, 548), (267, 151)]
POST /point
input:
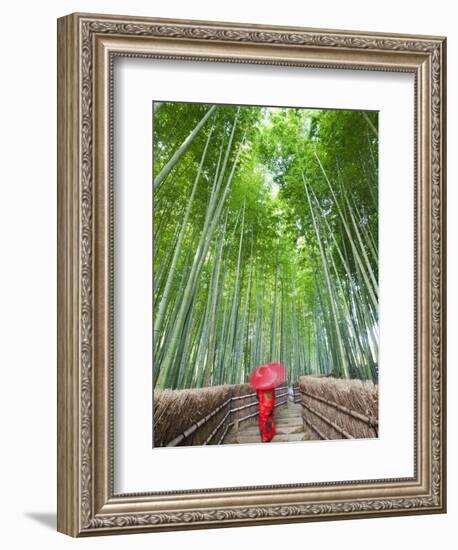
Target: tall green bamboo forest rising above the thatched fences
[(265, 243)]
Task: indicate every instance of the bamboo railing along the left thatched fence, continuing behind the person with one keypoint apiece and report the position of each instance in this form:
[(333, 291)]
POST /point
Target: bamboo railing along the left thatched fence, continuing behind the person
[(226, 415)]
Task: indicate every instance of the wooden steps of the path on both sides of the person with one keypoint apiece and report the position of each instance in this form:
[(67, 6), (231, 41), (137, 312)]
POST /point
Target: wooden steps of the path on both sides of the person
[(288, 423)]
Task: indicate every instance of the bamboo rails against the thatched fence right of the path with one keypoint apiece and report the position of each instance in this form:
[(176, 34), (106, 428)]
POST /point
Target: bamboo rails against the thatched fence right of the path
[(367, 420)]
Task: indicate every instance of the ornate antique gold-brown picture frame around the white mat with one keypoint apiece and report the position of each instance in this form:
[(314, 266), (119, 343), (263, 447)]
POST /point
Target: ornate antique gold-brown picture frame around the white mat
[(87, 44)]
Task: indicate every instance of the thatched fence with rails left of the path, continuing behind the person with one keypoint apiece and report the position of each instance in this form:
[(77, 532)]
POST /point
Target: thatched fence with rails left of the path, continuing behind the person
[(204, 416)]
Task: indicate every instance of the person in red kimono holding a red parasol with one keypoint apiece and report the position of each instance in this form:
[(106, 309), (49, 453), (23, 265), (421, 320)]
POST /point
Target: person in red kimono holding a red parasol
[(264, 380)]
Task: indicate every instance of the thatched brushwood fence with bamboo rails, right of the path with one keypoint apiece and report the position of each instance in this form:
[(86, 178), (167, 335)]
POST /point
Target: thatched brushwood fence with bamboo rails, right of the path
[(338, 409)]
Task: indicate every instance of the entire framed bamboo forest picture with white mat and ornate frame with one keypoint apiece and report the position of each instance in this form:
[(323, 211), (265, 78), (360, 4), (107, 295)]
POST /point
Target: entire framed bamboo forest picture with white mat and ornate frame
[(251, 289)]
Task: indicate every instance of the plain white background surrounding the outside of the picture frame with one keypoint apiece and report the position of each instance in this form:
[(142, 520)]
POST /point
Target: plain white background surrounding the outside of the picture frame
[(28, 271)]
